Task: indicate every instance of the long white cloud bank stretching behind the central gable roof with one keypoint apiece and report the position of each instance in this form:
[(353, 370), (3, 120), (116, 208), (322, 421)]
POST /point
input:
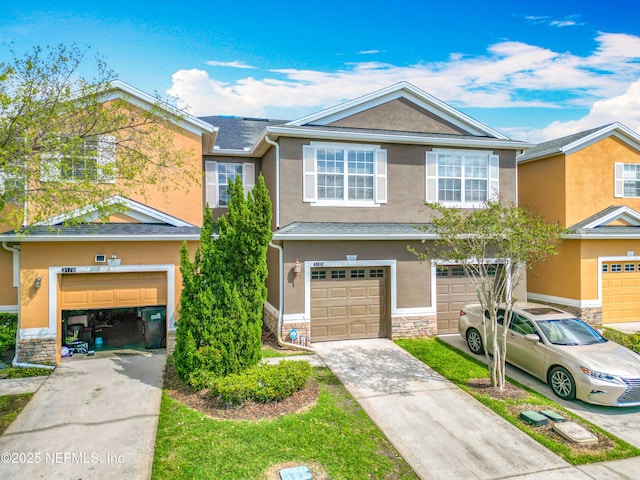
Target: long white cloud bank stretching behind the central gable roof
[(510, 74)]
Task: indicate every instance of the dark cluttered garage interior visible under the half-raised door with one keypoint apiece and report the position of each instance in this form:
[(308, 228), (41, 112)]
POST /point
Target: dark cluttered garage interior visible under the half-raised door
[(114, 328)]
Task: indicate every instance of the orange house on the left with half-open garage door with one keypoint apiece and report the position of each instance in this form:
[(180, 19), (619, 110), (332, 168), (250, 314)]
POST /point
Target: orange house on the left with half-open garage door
[(93, 280)]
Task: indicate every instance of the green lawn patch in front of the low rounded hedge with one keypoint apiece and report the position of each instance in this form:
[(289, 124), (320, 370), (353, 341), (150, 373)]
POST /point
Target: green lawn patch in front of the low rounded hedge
[(335, 433)]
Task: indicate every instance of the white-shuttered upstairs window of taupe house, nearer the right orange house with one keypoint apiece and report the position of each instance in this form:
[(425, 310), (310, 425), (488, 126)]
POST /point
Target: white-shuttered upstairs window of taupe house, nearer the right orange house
[(460, 177)]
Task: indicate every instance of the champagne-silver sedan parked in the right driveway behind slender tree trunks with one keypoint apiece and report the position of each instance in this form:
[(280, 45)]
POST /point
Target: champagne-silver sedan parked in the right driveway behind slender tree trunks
[(571, 356)]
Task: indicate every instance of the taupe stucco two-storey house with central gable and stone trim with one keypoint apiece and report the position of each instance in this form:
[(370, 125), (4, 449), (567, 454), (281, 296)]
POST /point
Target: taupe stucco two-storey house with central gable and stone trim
[(349, 186)]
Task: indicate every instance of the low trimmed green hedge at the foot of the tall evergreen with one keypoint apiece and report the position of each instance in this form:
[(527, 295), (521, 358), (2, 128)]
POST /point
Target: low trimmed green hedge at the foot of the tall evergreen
[(263, 383)]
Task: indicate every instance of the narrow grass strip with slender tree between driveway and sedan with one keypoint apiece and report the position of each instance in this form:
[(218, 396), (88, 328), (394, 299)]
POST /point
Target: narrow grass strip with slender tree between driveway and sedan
[(460, 368)]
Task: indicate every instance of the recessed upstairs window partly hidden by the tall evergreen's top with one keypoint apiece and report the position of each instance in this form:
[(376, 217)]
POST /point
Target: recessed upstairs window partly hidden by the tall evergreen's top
[(218, 177)]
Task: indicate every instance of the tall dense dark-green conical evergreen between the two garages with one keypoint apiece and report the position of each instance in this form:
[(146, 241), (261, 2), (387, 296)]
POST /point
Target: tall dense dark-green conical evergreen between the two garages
[(224, 288)]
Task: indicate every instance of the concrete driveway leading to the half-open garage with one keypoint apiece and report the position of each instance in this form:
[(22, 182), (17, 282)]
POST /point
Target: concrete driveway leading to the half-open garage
[(94, 417)]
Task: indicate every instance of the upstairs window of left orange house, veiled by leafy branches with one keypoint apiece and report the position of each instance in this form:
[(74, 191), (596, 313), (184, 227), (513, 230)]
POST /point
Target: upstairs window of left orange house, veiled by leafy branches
[(93, 160)]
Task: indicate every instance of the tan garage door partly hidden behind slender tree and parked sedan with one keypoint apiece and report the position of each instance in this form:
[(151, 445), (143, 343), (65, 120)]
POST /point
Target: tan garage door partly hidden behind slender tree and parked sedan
[(453, 291)]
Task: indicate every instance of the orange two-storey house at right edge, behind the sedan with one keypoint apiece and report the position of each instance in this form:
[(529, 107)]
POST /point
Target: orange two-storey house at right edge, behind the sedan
[(589, 182)]
